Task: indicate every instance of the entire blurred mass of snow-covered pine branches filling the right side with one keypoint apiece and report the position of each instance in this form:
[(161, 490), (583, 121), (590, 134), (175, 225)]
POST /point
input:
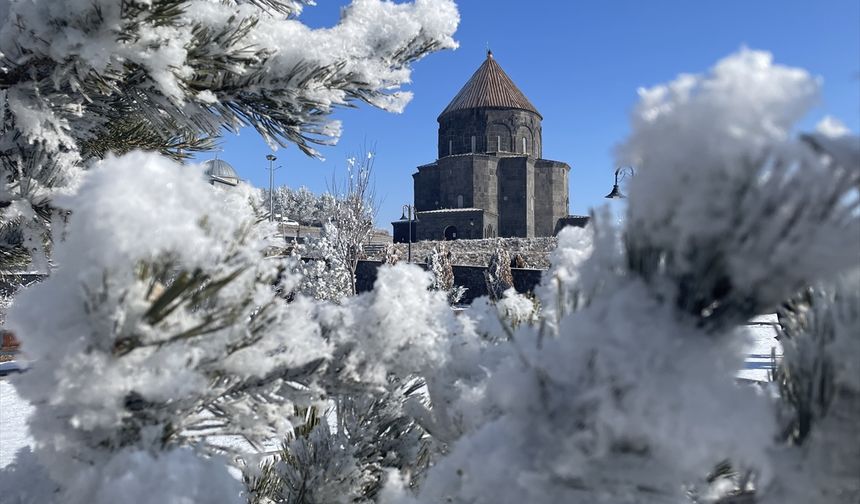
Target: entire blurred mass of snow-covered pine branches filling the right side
[(624, 390)]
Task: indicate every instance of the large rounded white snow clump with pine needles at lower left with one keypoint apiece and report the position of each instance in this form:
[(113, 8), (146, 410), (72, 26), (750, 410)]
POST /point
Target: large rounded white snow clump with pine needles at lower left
[(103, 357)]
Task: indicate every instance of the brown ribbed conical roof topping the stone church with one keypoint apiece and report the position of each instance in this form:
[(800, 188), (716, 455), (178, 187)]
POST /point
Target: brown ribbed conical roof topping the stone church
[(490, 86)]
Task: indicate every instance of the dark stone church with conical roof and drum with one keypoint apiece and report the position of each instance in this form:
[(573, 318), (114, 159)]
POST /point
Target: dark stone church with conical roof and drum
[(489, 179)]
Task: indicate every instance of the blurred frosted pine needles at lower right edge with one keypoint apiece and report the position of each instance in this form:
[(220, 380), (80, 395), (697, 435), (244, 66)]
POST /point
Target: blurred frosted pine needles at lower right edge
[(819, 384)]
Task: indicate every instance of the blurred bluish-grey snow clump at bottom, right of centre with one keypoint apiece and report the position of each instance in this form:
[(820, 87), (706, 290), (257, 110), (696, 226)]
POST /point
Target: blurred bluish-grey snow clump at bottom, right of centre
[(620, 397)]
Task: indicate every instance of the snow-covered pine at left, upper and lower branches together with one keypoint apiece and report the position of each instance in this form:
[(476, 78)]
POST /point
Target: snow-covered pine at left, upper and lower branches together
[(163, 340)]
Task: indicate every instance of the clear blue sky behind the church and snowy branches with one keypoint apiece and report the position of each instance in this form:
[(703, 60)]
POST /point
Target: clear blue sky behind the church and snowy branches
[(580, 63)]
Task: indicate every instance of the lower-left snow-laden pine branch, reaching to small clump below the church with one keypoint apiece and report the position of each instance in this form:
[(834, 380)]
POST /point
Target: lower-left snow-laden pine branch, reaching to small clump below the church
[(163, 339)]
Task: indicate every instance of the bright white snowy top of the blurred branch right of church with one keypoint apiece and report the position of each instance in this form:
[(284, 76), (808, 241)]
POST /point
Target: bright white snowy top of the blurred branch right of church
[(692, 132)]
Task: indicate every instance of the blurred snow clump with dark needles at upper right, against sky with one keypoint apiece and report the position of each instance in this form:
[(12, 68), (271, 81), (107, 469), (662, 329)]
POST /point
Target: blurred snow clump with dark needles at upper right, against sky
[(718, 176)]
